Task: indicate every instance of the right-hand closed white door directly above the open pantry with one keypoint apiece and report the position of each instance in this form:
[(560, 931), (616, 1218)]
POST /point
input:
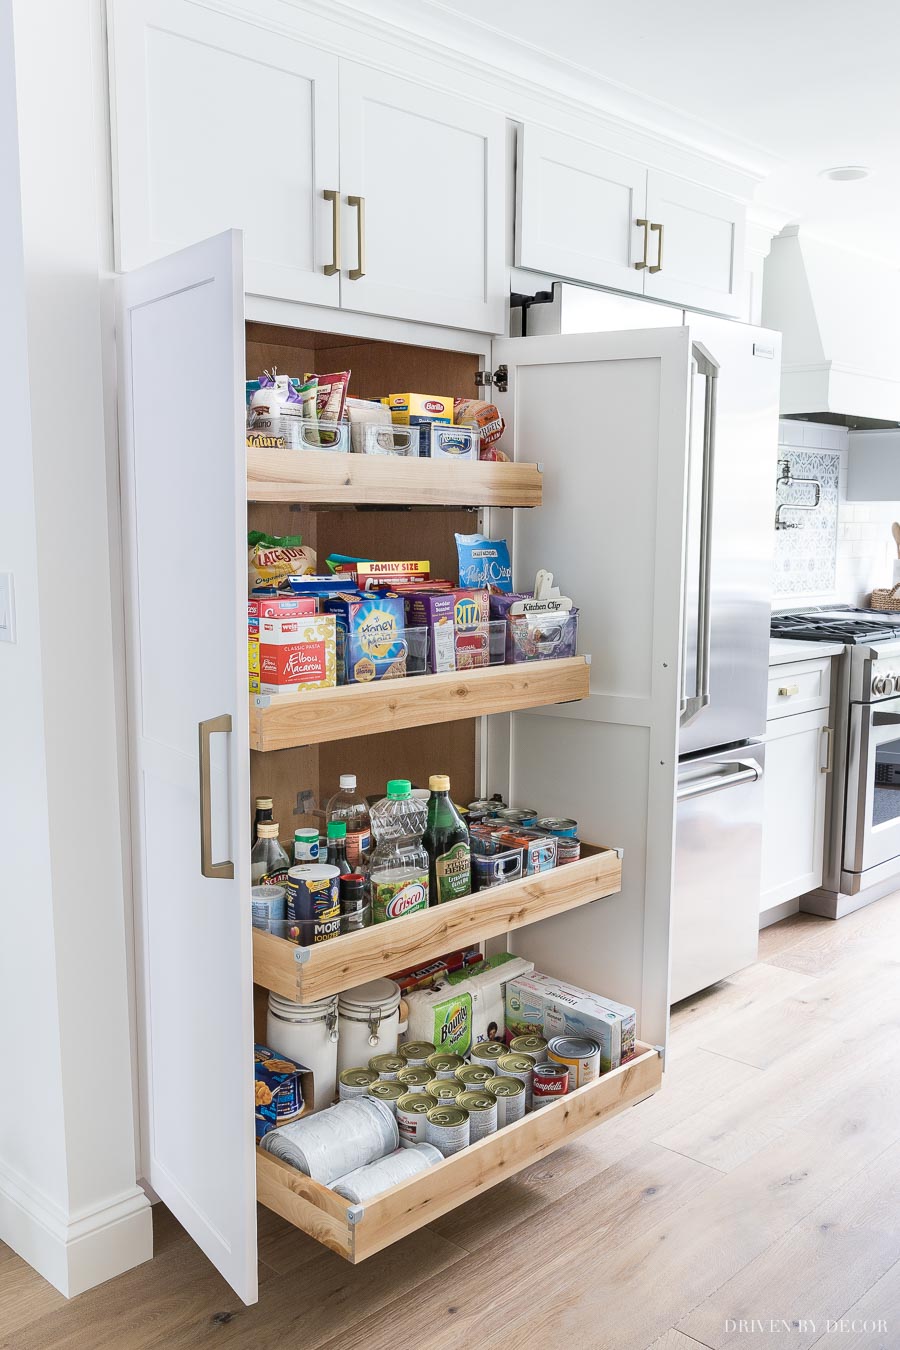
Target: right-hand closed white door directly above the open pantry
[(423, 182)]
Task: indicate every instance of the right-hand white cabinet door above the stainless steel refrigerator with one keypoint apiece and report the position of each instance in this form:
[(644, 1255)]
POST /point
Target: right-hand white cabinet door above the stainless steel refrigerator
[(697, 245)]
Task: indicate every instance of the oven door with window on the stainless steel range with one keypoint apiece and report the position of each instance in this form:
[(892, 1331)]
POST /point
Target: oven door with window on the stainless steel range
[(872, 826)]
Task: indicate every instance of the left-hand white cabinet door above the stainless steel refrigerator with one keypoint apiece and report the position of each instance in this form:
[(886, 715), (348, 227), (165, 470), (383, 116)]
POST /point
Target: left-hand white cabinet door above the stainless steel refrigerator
[(578, 209)]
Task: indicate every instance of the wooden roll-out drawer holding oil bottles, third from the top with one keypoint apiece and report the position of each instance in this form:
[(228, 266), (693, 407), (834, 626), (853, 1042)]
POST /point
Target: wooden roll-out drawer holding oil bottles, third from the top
[(306, 974)]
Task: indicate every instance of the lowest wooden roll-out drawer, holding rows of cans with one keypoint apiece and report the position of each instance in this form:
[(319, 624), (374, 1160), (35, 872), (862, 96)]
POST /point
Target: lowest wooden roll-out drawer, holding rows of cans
[(357, 1232)]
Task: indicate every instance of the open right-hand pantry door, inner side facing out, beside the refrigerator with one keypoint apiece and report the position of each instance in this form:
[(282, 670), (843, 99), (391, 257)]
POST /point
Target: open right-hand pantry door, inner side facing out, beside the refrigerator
[(608, 415)]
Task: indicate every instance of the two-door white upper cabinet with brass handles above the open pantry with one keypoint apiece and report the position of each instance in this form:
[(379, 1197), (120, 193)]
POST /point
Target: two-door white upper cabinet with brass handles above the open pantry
[(354, 188)]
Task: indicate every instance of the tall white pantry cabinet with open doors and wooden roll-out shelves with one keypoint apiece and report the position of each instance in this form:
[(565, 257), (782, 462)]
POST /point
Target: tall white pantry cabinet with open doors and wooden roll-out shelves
[(593, 736)]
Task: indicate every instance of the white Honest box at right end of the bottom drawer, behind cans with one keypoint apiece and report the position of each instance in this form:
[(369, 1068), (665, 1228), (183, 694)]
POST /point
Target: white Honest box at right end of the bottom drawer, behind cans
[(549, 1006)]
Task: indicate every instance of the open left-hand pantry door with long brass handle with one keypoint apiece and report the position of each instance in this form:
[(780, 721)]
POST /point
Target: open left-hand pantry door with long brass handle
[(186, 511)]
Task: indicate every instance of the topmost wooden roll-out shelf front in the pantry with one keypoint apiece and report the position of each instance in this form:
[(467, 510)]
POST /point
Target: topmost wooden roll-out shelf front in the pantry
[(331, 479)]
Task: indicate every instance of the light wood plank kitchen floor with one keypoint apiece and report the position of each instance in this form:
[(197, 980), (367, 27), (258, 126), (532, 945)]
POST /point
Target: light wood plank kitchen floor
[(760, 1187)]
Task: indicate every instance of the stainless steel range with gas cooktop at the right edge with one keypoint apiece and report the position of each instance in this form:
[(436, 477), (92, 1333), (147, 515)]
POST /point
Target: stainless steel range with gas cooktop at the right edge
[(863, 840)]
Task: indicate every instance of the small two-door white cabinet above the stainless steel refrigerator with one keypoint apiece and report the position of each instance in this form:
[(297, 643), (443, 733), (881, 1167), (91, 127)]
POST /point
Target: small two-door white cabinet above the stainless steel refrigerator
[(596, 217)]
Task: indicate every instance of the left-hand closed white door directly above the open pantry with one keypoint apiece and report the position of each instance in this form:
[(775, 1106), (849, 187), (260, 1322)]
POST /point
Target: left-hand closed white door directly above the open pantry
[(219, 124)]
